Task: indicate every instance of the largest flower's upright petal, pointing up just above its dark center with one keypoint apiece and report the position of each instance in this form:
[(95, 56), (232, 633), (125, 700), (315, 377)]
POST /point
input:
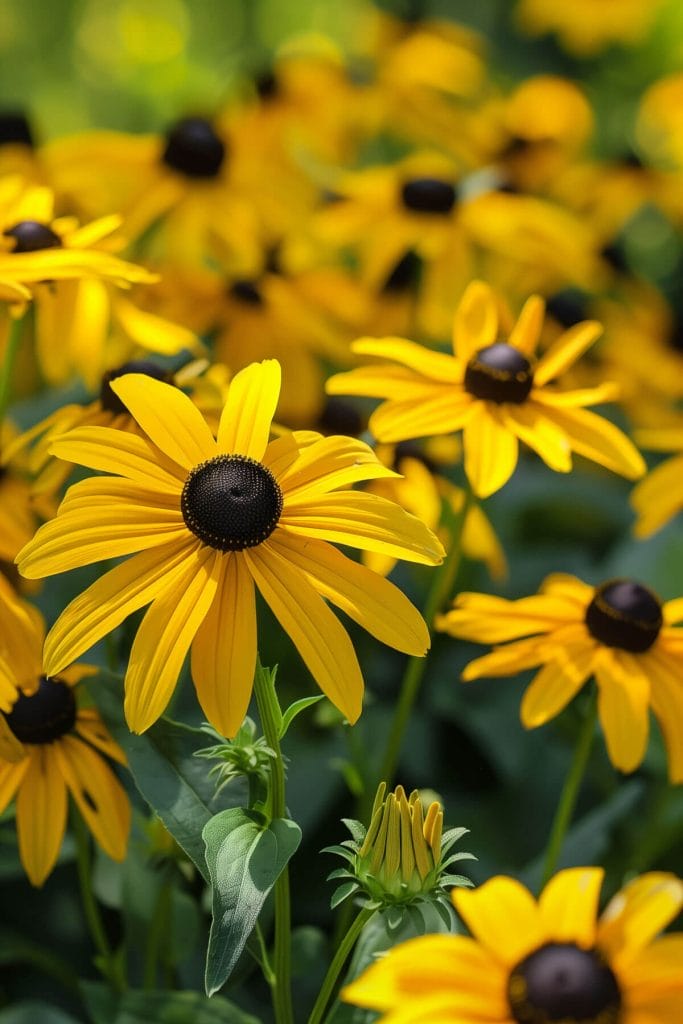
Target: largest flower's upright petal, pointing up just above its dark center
[(252, 400)]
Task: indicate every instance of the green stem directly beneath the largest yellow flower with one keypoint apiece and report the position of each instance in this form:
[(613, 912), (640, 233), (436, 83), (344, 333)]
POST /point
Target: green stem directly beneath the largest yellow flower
[(270, 713)]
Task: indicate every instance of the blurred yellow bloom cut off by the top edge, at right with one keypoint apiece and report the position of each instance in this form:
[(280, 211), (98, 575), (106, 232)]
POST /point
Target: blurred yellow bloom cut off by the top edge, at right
[(586, 28)]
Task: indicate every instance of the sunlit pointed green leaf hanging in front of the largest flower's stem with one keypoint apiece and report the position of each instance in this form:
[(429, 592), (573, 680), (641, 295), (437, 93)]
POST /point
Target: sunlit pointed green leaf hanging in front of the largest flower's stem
[(245, 861)]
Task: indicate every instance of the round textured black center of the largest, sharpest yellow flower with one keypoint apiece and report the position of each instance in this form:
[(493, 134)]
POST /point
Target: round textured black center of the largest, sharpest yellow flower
[(232, 502)]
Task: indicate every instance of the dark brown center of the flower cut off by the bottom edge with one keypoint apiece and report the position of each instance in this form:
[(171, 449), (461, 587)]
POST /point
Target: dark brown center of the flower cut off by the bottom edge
[(562, 983)]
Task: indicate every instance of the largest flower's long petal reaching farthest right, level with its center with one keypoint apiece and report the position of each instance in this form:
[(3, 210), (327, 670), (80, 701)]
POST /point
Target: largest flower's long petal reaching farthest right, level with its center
[(366, 522)]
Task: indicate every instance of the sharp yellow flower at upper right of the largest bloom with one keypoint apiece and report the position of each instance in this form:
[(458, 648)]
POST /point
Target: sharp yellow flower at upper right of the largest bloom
[(493, 392)]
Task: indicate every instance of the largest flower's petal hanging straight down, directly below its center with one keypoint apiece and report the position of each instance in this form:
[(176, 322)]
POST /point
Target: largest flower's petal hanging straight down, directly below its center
[(224, 654)]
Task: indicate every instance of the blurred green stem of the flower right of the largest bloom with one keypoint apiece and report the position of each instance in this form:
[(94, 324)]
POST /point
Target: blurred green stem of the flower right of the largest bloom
[(442, 588)]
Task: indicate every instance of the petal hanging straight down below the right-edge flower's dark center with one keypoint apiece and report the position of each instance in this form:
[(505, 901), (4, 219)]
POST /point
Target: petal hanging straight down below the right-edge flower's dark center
[(624, 694)]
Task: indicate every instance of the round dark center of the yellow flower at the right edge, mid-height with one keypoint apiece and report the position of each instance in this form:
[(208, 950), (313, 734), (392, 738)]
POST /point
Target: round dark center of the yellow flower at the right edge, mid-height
[(626, 615)]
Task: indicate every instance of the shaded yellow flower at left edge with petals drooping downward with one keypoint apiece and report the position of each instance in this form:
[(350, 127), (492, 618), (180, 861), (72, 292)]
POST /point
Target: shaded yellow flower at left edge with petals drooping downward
[(51, 748)]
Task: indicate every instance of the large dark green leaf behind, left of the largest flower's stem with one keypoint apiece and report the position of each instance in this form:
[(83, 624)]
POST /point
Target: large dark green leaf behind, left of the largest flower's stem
[(175, 783)]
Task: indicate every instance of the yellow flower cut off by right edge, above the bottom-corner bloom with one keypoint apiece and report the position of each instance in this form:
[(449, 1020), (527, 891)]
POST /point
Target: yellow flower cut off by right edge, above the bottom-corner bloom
[(619, 632)]
